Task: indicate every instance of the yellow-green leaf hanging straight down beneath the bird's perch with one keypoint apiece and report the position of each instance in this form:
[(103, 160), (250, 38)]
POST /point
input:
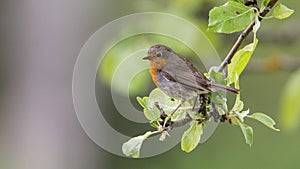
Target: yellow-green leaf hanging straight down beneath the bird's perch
[(191, 137)]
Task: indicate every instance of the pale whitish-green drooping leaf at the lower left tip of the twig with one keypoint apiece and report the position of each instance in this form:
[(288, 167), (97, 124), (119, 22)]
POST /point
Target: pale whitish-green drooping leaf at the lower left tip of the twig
[(132, 147)]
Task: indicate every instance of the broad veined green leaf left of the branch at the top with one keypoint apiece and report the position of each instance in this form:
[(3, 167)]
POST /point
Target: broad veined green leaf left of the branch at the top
[(231, 17)]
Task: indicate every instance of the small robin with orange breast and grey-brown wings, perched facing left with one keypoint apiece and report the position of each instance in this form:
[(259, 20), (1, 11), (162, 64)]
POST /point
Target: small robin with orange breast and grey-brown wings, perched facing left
[(177, 77)]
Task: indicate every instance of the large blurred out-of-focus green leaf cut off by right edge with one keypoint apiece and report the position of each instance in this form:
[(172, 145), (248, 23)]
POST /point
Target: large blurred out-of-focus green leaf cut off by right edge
[(290, 107)]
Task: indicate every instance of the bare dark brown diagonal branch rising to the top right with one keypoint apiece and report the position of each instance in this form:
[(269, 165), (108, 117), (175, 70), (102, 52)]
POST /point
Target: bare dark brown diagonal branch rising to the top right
[(243, 36)]
